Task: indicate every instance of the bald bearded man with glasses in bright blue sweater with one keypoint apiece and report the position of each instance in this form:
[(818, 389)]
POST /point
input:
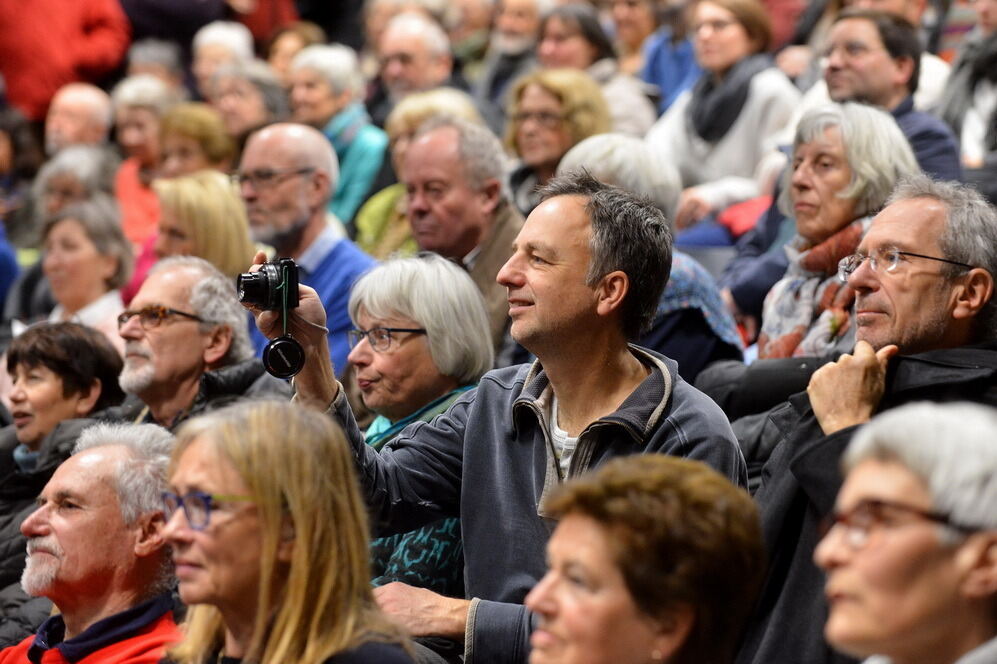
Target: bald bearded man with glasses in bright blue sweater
[(287, 176)]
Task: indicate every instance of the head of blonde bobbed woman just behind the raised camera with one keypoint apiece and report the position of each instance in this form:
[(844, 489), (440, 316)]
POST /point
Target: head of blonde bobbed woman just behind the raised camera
[(202, 215)]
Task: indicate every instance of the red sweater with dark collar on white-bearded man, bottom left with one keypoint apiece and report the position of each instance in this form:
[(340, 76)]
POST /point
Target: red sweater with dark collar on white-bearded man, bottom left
[(137, 636)]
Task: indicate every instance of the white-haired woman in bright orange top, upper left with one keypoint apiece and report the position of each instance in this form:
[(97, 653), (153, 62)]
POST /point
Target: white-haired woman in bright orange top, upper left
[(140, 102)]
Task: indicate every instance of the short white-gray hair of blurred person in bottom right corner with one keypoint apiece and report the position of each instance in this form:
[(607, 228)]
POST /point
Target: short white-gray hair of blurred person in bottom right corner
[(948, 446)]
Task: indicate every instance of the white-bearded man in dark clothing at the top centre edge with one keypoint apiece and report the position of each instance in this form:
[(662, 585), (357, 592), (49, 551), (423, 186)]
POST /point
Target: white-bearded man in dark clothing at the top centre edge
[(511, 54)]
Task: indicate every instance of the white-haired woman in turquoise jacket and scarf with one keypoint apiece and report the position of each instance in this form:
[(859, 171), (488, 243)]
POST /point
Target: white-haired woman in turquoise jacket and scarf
[(327, 93)]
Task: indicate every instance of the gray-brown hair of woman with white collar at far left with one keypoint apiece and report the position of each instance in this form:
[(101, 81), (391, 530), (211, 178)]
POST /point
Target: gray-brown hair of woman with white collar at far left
[(101, 221)]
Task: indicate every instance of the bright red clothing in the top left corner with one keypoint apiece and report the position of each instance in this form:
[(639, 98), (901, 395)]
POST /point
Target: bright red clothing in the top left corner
[(45, 44)]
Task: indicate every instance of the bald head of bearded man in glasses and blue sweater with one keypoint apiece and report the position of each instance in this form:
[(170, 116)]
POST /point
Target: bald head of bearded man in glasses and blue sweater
[(288, 174)]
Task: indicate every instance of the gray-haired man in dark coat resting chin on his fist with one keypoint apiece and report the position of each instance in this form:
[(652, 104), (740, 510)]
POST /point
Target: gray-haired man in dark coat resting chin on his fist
[(925, 315)]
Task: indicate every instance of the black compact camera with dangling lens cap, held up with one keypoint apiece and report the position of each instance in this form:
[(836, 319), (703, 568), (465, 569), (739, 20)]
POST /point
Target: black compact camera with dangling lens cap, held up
[(275, 288)]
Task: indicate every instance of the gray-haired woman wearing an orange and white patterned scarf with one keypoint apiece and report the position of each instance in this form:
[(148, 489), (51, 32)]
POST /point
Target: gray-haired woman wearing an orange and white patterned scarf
[(847, 158)]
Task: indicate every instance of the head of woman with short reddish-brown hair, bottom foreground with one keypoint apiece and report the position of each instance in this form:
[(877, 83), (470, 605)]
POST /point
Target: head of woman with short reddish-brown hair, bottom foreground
[(654, 559)]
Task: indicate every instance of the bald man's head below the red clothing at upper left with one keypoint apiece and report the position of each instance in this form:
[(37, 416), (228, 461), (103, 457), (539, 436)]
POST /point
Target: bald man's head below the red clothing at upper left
[(80, 114)]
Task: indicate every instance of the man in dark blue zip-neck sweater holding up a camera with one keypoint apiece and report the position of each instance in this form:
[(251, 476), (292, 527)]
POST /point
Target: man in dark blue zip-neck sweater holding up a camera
[(586, 275)]
